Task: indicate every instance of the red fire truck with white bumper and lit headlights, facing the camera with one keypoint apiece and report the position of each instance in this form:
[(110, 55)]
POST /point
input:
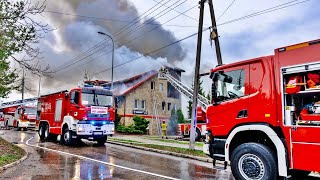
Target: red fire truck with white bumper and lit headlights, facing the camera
[(83, 113)]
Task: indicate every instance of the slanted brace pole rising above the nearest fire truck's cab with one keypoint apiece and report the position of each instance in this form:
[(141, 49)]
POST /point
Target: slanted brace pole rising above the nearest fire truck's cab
[(214, 34)]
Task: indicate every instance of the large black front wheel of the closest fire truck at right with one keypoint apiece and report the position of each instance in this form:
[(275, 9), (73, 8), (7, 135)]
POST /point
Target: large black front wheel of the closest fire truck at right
[(253, 161)]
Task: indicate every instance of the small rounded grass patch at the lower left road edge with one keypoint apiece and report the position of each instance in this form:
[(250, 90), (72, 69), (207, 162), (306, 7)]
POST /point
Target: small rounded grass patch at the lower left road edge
[(9, 153)]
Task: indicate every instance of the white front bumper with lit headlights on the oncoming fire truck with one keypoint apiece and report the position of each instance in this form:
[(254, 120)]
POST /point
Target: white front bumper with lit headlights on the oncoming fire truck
[(90, 130)]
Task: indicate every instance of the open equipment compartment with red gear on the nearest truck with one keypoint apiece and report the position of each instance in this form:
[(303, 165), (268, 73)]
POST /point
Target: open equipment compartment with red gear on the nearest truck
[(302, 97)]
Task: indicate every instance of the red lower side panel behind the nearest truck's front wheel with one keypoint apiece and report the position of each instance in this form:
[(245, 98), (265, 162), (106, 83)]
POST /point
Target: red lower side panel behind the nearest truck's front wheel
[(305, 142)]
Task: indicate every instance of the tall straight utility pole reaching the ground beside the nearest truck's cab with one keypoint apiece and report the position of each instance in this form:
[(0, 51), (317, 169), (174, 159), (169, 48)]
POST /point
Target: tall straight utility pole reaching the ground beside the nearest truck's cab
[(196, 79)]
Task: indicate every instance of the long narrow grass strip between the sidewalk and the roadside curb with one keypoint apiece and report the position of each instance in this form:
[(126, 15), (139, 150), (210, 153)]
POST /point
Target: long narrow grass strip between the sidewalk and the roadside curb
[(161, 147)]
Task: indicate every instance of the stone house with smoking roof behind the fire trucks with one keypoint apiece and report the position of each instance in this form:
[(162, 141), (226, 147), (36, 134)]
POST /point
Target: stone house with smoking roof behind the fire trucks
[(147, 96)]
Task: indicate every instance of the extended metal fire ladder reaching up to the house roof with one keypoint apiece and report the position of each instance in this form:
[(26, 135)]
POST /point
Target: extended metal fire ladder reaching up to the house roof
[(185, 90)]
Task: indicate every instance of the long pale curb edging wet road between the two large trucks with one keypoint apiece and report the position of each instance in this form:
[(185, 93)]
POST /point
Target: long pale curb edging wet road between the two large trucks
[(203, 159)]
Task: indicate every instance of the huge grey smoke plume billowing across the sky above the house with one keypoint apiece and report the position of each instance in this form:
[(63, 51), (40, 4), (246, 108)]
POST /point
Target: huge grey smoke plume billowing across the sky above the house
[(74, 35)]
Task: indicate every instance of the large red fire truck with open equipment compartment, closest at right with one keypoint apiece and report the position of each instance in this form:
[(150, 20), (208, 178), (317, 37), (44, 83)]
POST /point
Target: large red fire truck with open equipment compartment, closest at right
[(265, 114)]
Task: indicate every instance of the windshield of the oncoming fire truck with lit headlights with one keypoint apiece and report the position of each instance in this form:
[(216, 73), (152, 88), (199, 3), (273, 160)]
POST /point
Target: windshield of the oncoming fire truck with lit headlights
[(92, 99)]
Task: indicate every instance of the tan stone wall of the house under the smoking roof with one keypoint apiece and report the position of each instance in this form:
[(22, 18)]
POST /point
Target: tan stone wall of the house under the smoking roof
[(144, 92)]
